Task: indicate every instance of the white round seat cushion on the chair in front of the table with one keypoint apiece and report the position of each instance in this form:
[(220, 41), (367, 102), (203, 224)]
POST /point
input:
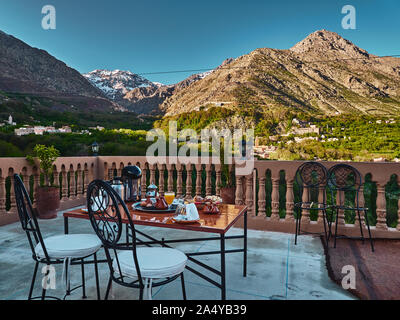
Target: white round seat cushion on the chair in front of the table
[(154, 262)]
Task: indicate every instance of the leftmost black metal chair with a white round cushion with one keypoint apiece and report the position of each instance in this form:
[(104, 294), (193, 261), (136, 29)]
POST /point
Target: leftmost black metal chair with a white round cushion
[(68, 249)]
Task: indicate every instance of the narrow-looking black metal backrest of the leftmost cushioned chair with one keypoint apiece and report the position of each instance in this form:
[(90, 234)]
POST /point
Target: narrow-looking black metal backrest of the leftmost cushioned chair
[(27, 216)]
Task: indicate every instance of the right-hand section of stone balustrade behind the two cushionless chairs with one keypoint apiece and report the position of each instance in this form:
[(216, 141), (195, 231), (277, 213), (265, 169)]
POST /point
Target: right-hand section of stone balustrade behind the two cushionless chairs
[(272, 208)]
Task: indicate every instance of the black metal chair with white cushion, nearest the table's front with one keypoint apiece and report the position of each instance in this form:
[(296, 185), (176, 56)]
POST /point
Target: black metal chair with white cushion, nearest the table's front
[(130, 265)]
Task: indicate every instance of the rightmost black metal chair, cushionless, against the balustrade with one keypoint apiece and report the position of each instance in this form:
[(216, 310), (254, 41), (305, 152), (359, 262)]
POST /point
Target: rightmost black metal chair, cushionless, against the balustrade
[(344, 178)]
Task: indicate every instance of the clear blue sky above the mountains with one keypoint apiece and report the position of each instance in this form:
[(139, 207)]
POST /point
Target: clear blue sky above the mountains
[(163, 35)]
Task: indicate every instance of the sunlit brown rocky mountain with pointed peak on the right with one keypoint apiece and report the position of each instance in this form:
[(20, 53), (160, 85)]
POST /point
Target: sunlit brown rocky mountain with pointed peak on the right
[(323, 74)]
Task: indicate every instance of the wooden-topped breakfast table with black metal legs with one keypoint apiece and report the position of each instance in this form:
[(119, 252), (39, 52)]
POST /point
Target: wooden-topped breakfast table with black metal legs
[(217, 224)]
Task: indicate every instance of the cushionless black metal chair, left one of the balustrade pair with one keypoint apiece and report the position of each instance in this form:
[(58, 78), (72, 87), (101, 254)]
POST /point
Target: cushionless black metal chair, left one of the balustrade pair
[(311, 178)]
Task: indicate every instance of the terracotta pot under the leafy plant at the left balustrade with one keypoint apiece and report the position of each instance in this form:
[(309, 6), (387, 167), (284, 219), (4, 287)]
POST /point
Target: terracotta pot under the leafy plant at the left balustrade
[(47, 202)]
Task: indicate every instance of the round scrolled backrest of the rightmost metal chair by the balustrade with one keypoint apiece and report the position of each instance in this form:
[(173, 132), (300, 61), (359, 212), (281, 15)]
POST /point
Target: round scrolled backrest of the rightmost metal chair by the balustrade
[(343, 177)]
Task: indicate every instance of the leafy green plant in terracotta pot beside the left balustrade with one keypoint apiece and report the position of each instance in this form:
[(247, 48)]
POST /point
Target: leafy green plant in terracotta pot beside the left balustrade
[(47, 193)]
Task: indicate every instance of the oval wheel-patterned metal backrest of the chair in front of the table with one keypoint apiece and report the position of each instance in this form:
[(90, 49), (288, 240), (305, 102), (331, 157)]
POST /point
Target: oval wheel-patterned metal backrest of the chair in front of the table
[(106, 210)]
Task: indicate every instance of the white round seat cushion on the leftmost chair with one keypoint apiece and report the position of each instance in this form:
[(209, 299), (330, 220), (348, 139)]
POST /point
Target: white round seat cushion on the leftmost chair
[(69, 246)]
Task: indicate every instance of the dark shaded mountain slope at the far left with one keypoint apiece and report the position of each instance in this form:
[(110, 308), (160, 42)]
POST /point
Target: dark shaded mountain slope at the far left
[(28, 70)]
